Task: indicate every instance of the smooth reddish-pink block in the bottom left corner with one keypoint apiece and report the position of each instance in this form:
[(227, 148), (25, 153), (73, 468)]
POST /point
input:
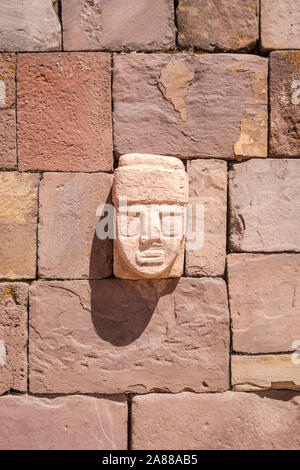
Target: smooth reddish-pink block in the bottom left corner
[(63, 423)]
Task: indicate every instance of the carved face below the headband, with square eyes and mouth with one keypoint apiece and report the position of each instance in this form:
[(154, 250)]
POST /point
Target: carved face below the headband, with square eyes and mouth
[(150, 236)]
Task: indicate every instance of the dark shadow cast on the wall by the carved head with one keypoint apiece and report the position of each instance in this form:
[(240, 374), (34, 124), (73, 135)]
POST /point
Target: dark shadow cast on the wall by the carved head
[(121, 309)]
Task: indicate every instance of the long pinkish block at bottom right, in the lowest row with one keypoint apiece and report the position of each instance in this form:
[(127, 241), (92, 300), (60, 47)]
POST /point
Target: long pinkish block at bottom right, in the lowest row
[(215, 421)]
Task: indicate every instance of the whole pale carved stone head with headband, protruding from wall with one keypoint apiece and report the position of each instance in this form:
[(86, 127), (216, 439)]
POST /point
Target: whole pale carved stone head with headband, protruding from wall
[(149, 194)]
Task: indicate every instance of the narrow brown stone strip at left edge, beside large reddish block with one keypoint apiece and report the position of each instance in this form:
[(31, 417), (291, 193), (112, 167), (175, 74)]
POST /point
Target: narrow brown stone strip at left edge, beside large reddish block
[(8, 156)]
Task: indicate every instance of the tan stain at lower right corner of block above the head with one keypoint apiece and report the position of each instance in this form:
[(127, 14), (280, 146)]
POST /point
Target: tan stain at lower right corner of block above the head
[(253, 136)]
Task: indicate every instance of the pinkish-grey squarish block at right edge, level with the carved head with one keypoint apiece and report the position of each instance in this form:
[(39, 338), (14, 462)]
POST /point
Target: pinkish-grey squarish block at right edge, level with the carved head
[(265, 205)]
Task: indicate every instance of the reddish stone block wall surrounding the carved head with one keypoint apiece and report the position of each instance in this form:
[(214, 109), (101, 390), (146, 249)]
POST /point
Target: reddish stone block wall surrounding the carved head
[(207, 361)]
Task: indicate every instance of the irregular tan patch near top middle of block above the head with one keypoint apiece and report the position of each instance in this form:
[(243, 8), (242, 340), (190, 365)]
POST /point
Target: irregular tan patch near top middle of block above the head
[(173, 83)]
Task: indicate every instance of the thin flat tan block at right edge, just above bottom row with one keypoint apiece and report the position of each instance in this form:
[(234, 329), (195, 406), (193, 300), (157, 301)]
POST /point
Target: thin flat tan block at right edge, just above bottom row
[(265, 372)]
